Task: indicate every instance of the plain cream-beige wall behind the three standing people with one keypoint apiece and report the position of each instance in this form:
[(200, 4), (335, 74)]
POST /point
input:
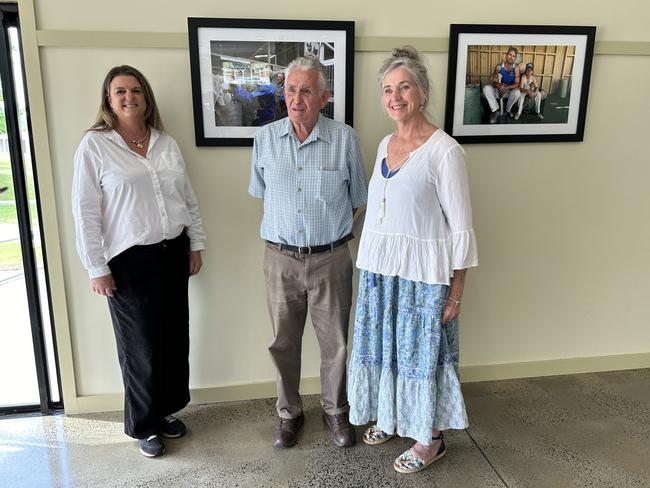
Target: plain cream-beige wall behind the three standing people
[(562, 229)]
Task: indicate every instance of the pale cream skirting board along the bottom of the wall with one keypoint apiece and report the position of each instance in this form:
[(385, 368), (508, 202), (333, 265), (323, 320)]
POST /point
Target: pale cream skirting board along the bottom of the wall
[(311, 385)]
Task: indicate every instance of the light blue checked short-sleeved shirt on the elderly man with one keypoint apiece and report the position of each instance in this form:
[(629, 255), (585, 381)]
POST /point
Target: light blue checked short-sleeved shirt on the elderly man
[(310, 188)]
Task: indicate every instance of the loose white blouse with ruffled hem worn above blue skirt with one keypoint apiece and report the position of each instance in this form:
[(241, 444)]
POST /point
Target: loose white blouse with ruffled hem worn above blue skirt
[(423, 231)]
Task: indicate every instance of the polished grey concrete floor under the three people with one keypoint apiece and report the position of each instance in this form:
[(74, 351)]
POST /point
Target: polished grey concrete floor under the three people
[(588, 430)]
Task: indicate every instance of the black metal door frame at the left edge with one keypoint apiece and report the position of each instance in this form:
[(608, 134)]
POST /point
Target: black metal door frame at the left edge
[(9, 18)]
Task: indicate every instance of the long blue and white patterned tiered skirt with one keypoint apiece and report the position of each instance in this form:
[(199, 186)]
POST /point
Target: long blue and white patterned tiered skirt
[(403, 370)]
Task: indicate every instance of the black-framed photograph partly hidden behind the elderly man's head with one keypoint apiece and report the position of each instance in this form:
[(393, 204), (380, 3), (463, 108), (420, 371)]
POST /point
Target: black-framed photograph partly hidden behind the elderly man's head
[(237, 68)]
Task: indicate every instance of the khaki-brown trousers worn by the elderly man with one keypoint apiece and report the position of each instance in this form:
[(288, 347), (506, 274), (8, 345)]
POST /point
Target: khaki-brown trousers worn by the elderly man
[(323, 283)]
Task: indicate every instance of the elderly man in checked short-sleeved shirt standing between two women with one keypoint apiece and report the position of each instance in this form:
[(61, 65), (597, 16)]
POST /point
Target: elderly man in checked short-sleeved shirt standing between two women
[(308, 170)]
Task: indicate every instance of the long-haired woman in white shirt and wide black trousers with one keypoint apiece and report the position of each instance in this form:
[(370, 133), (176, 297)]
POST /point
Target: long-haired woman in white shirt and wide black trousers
[(140, 236)]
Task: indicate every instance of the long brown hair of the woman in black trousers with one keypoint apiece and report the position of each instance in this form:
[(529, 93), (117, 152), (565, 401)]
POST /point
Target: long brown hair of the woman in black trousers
[(106, 120)]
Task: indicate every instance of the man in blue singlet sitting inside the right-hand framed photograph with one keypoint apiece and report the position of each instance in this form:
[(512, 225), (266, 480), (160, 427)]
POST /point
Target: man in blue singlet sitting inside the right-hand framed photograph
[(505, 85)]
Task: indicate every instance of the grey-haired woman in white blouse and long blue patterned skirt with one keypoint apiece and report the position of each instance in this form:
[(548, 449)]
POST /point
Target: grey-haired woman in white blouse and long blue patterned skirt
[(416, 245)]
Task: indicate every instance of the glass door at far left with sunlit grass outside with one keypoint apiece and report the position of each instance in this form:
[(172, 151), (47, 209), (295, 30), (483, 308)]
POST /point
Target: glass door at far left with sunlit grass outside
[(28, 369)]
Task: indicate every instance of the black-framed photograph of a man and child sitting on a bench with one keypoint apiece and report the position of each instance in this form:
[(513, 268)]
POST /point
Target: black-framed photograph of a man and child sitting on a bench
[(518, 83)]
